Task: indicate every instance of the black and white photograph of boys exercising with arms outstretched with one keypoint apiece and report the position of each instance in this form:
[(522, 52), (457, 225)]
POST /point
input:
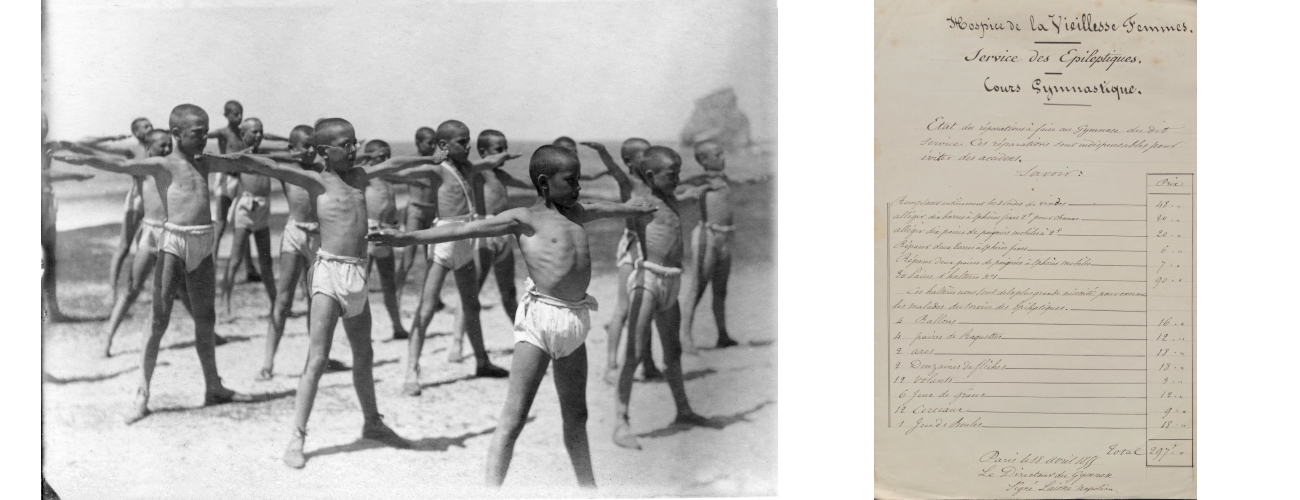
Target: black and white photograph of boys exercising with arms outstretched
[(341, 250)]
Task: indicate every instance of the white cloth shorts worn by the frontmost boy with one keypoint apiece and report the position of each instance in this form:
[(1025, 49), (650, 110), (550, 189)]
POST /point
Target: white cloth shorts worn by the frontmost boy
[(556, 327)]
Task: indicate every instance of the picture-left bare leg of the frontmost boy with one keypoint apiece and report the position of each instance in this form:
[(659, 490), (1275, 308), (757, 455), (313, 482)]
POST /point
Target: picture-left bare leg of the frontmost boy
[(527, 369)]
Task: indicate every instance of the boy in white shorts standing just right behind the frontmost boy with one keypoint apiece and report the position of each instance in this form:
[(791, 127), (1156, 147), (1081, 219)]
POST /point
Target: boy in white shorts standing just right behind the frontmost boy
[(653, 289)]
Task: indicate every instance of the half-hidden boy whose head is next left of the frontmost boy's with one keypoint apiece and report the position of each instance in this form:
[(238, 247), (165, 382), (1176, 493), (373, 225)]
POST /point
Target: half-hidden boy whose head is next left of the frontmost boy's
[(495, 254)]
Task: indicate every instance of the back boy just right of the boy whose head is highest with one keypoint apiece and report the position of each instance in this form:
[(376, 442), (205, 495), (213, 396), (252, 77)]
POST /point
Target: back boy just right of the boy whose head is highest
[(252, 218)]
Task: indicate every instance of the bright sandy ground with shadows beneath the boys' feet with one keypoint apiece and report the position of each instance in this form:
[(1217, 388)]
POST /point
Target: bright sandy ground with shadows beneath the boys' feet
[(233, 451)]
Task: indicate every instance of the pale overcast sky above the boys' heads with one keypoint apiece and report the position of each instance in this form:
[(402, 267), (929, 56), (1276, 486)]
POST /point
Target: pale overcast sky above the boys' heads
[(532, 69)]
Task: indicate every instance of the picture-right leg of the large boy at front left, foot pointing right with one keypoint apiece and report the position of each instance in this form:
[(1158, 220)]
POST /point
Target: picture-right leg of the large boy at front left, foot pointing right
[(202, 286)]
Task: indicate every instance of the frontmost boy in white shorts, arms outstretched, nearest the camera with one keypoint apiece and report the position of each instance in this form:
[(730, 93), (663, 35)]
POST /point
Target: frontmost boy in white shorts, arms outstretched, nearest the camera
[(556, 312)]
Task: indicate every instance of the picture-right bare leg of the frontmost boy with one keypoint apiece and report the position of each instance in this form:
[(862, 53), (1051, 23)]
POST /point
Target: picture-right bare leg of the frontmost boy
[(571, 388)]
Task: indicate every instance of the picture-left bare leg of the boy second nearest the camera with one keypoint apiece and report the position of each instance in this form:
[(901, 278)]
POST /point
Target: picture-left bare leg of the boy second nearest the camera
[(324, 316)]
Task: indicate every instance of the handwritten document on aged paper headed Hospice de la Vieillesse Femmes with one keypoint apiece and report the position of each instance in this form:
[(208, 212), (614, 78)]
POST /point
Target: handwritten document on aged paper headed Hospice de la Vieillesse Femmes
[(1035, 250)]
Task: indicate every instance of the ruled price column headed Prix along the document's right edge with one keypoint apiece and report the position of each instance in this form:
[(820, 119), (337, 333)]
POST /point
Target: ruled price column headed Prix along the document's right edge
[(1171, 312)]
